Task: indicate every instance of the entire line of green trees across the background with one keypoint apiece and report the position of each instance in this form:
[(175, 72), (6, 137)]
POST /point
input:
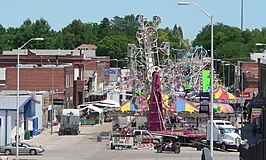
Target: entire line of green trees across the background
[(111, 36)]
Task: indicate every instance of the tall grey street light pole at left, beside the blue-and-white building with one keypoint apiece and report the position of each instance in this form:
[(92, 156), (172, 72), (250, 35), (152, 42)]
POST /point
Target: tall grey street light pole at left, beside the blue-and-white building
[(17, 108)]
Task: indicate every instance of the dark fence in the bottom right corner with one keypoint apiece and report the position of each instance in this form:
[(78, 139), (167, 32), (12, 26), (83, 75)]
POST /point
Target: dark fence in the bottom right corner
[(254, 152)]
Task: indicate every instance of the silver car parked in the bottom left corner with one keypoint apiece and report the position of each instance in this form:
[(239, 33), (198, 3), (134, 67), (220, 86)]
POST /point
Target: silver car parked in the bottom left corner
[(24, 148)]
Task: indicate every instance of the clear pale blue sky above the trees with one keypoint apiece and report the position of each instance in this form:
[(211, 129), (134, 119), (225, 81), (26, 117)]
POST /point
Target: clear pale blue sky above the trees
[(60, 13)]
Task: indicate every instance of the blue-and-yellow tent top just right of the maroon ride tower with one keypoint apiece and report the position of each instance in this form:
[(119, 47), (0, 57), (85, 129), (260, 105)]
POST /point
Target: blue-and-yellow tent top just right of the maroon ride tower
[(184, 105)]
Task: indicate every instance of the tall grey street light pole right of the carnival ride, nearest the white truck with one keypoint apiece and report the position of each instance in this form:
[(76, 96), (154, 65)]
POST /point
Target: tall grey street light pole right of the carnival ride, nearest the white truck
[(211, 104)]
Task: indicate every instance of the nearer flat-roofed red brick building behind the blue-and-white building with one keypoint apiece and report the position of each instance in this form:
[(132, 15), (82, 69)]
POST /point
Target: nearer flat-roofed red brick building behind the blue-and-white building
[(34, 78)]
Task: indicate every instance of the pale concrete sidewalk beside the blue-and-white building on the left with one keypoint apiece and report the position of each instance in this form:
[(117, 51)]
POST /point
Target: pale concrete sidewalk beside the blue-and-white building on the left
[(44, 137)]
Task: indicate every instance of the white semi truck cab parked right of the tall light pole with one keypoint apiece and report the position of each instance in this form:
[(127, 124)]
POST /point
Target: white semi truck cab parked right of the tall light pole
[(225, 135)]
